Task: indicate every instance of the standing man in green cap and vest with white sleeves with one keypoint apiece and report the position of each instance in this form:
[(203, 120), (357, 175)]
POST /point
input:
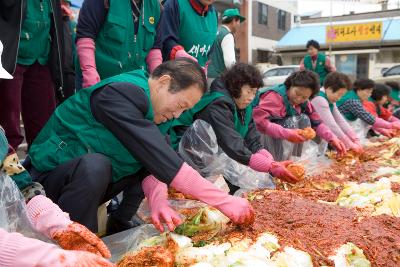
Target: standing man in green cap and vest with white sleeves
[(222, 54)]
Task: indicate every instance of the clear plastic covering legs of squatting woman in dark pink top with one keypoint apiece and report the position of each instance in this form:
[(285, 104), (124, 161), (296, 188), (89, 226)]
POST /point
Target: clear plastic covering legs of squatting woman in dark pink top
[(284, 150)]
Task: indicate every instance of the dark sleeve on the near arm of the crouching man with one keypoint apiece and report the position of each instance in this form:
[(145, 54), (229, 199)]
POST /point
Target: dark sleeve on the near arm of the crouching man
[(121, 108)]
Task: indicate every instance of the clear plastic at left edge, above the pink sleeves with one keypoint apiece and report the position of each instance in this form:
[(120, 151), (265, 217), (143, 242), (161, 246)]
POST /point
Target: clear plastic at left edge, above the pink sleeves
[(13, 209)]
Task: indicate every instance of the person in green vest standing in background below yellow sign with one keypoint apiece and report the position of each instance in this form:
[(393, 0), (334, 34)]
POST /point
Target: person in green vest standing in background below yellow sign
[(316, 61)]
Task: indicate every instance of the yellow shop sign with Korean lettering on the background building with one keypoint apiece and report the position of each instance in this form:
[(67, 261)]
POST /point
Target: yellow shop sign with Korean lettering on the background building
[(354, 32)]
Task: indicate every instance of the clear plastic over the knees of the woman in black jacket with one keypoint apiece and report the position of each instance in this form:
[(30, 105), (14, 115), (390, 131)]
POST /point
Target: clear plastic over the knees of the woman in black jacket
[(199, 148)]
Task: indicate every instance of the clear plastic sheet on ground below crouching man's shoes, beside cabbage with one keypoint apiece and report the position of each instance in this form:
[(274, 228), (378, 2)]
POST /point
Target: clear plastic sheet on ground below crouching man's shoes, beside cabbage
[(126, 241)]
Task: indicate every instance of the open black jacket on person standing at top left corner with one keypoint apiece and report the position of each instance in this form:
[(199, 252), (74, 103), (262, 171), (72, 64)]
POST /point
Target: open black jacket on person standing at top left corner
[(12, 14)]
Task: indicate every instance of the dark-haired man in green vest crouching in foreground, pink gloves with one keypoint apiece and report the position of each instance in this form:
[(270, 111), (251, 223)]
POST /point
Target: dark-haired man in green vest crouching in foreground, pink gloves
[(105, 139)]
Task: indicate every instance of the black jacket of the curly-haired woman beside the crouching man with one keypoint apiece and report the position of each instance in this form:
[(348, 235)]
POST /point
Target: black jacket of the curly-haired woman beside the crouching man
[(220, 115)]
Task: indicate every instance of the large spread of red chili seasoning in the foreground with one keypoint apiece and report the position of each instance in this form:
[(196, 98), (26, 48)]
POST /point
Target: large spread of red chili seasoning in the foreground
[(320, 229)]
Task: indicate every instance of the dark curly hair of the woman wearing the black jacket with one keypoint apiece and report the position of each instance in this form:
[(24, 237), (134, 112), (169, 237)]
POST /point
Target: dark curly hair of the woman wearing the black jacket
[(239, 75)]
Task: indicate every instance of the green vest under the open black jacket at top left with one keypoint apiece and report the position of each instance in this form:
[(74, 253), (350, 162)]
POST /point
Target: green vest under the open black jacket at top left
[(34, 40)]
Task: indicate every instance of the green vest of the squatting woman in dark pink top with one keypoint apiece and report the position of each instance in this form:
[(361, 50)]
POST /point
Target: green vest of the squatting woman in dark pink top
[(281, 90)]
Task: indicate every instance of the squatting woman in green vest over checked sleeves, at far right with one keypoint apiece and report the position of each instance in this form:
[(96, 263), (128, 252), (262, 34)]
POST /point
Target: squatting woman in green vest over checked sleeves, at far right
[(351, 106)]
